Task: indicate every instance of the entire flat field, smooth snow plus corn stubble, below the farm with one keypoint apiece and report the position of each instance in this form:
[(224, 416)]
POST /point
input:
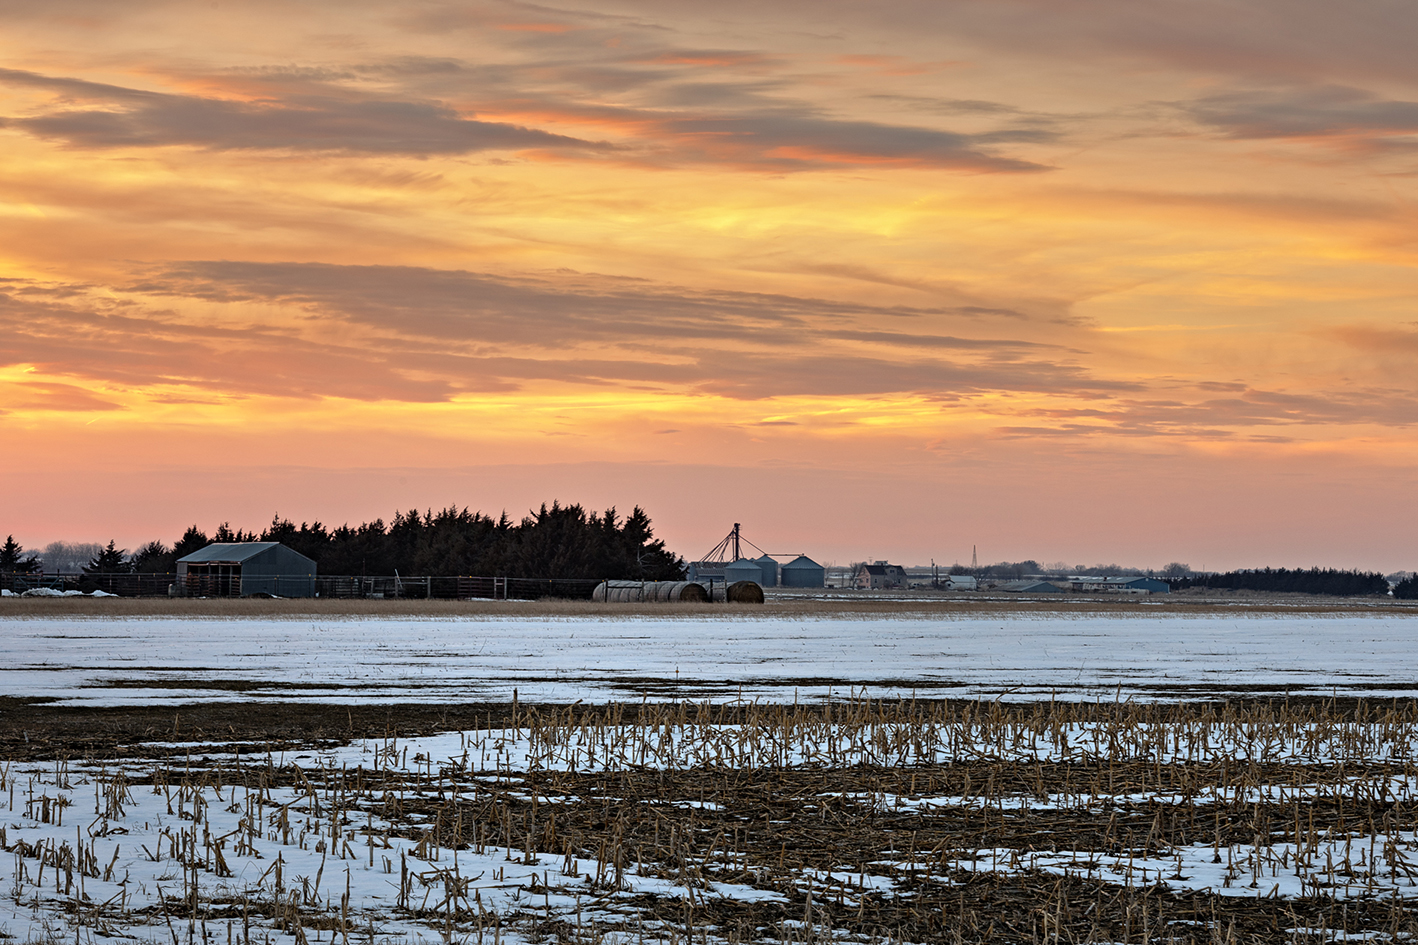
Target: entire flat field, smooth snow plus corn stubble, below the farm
[(1220, 773)]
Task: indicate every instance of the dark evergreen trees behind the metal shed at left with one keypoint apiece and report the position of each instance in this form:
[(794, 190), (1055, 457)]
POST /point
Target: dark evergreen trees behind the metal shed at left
[(562, 541)]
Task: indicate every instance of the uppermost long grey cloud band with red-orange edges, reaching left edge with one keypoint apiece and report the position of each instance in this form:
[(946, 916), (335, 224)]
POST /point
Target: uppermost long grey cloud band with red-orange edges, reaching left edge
[(303, 111)]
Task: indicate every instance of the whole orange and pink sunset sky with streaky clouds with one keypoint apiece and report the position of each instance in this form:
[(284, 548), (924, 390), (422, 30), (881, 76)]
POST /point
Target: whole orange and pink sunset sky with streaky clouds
[(1071, 280)]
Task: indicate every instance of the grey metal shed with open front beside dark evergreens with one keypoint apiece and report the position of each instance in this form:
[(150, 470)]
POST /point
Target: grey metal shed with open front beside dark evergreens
[(242, 570)]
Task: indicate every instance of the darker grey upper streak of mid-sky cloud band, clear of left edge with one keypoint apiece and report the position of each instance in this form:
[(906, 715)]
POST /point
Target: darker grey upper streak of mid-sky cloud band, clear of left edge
[(564, 309)]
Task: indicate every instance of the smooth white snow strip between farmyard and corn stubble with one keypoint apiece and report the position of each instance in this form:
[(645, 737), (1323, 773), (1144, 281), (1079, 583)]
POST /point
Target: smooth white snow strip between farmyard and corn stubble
[(124, 661)]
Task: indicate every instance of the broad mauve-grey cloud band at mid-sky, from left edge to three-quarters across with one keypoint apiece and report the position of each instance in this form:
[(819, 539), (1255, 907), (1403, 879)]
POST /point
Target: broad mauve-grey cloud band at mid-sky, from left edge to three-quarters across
[(428, 336)]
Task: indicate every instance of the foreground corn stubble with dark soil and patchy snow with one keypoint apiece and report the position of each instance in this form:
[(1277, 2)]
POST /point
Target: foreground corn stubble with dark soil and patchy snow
[(859, 821)]
